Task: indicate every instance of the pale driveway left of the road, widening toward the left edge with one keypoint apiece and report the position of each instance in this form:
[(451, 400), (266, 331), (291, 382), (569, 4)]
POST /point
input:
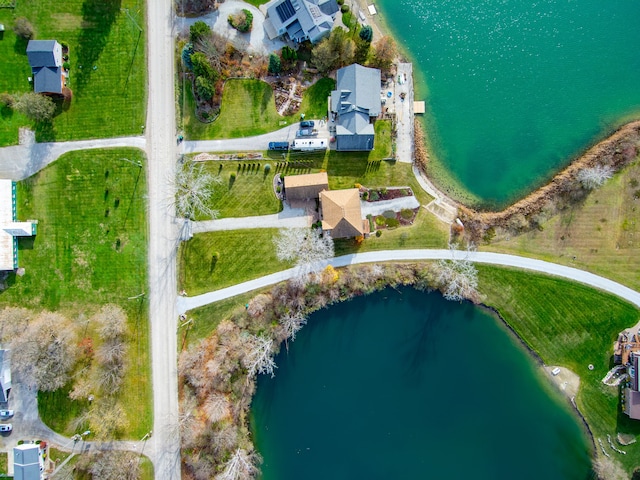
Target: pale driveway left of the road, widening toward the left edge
[(22, 161)]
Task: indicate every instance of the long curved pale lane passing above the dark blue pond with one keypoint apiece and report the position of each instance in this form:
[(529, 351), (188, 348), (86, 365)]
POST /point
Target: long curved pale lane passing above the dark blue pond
[(189, 303)]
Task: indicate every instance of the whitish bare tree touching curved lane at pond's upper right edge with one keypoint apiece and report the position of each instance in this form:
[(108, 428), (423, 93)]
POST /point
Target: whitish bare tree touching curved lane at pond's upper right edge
[(458, 277)]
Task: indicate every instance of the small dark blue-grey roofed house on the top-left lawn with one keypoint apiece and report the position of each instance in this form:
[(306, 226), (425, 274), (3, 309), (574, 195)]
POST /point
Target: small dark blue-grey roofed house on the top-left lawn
[(45, 59)]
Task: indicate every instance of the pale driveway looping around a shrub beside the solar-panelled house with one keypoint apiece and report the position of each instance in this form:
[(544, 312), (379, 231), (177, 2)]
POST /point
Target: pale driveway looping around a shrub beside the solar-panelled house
[(255, 41)]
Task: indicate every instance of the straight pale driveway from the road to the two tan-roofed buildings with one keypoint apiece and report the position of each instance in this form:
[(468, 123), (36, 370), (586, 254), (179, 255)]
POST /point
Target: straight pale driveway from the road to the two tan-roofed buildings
[(287, 218)]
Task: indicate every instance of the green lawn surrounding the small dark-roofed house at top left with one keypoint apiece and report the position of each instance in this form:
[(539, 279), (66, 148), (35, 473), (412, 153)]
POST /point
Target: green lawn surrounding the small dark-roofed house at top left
[(108, 67)]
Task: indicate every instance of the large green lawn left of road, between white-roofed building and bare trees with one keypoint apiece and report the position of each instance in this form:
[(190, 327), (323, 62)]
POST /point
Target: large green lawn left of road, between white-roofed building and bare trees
[(90, 249)]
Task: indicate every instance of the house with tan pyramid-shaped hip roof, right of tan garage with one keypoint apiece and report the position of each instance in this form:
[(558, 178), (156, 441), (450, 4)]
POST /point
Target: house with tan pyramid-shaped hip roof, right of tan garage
[(341, 213)]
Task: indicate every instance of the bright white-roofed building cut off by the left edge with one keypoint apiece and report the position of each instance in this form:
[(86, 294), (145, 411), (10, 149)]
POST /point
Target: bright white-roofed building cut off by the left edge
[(10, 229)]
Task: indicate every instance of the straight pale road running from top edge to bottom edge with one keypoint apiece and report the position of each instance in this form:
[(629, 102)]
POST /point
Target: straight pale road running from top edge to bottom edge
[(163, 239)]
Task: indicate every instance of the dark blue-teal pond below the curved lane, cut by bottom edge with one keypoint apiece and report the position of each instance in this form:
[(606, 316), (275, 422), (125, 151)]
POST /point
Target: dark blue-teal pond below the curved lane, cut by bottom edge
[(405, 385)]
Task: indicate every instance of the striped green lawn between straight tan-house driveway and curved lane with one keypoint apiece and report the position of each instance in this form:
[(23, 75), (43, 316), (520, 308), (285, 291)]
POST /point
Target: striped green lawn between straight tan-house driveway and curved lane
[(214, 260)]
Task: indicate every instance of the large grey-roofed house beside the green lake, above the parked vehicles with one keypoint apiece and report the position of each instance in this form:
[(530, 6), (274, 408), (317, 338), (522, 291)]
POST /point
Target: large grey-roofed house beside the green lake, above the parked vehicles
[(355, 104)]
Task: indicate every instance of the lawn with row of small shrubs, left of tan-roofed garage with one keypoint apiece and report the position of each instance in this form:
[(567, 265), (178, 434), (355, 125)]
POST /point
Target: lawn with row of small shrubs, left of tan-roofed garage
[(250, 193)]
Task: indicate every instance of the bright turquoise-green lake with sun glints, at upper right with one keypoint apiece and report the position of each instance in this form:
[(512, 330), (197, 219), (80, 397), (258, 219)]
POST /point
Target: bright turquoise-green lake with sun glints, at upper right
[(515, 89)]
